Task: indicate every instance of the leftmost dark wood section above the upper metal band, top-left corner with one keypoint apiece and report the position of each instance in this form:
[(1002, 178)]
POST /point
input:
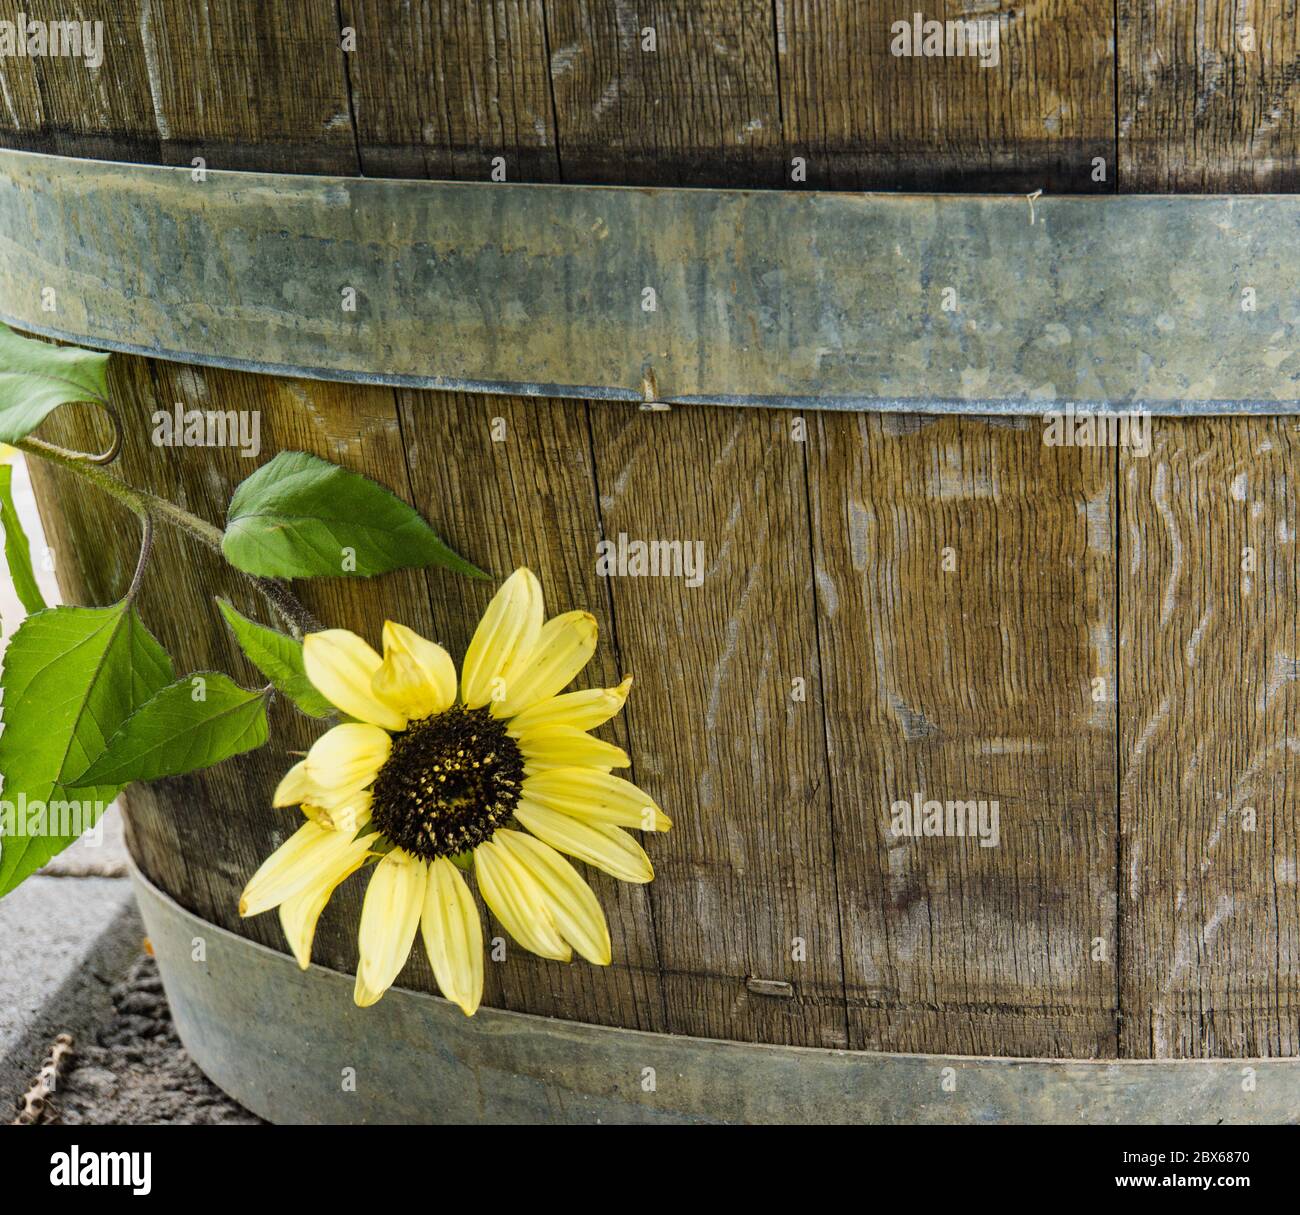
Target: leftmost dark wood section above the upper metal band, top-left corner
[(185, 80)]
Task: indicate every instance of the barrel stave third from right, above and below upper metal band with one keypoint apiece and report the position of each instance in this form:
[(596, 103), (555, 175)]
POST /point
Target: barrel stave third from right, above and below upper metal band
[(746, 891)]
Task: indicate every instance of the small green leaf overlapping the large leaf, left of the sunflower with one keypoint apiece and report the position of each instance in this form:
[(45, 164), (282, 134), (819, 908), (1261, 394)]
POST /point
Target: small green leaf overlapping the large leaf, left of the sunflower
[(177, 732)]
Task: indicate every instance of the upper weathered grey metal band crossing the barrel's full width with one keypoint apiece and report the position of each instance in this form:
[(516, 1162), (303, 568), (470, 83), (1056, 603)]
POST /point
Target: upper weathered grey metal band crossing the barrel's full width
[(938, 303)]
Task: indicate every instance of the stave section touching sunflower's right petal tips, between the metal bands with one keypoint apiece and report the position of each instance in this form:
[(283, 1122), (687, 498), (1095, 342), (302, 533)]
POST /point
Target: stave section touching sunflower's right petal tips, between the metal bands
[(726, 727)]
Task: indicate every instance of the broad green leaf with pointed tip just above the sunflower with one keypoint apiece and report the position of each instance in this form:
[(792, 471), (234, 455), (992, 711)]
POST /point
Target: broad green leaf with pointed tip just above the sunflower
[(301, 517)]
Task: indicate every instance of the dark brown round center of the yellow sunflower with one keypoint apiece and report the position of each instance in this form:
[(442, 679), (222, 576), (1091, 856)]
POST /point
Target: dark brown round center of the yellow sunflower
[(448, 784)]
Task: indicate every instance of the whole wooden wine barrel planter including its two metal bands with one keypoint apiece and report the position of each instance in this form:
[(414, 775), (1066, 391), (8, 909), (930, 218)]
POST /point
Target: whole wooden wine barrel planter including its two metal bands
[(903, 596)]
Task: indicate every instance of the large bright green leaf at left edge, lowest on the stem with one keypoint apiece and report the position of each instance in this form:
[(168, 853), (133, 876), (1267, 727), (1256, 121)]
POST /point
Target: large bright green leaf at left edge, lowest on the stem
[(72, 676)]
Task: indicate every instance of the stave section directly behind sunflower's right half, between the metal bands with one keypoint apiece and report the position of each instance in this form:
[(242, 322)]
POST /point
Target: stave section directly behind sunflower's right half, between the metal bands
[(514, 481)]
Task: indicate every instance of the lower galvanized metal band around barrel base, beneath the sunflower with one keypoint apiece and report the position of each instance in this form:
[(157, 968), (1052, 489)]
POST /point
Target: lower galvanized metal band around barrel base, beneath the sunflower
[(281, 1042)]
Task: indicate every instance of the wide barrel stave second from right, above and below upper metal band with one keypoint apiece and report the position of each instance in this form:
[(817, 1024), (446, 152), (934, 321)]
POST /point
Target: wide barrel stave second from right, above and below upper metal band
[(952, 949)]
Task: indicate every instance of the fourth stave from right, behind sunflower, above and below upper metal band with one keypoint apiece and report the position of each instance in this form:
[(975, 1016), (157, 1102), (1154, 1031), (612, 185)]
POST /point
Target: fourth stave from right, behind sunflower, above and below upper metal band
[(530, 498)]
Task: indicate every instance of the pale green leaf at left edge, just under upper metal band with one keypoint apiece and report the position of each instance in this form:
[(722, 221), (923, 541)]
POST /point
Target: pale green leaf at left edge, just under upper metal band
[(37, 379)]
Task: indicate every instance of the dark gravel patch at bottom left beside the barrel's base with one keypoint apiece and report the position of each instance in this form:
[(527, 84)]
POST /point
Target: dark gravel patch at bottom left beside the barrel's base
[(136, 1071)]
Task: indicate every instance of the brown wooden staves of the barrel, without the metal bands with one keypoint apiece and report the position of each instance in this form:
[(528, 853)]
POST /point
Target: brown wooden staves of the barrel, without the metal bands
[(899, 604)]
